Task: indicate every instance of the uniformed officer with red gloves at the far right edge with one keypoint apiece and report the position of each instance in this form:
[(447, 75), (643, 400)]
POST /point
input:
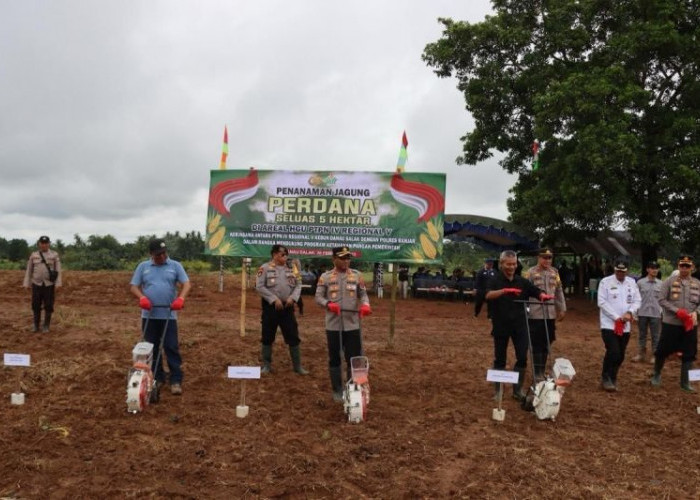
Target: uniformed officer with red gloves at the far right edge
[(680, 302)]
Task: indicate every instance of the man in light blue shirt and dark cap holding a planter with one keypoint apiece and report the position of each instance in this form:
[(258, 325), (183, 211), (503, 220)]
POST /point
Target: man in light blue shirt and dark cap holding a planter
[(155, 283)]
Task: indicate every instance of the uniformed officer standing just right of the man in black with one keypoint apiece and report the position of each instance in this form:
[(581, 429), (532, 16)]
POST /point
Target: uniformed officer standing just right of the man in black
[(545, 277)]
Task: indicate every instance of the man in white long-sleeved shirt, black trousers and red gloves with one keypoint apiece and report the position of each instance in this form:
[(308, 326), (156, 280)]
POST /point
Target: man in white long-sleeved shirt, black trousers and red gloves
[(618, 300)]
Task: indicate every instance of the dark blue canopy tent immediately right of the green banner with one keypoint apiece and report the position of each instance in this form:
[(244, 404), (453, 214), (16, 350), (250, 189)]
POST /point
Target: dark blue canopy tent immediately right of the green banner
[(493, 234)]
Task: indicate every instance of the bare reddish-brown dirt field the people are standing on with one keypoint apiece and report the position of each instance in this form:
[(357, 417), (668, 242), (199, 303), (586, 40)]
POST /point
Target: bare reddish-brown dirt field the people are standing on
[(429, 432)]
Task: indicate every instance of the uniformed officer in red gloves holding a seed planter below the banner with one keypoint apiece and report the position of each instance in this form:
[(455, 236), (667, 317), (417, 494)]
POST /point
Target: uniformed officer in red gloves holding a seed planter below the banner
[(342, 292)]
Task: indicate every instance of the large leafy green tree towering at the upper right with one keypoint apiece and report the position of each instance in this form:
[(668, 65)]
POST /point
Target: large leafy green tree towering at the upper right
[(611, 89)]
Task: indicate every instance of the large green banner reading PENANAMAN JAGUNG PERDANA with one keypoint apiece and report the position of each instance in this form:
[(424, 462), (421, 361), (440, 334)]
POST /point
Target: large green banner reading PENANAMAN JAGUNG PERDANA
[(381, 216)]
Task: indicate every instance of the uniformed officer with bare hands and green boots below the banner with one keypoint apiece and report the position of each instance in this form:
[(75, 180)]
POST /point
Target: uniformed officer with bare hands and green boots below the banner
[(279, 289)]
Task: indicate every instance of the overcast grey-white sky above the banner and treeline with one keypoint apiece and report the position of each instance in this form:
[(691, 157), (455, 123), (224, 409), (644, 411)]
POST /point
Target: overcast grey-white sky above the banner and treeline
[(112, 113)]
